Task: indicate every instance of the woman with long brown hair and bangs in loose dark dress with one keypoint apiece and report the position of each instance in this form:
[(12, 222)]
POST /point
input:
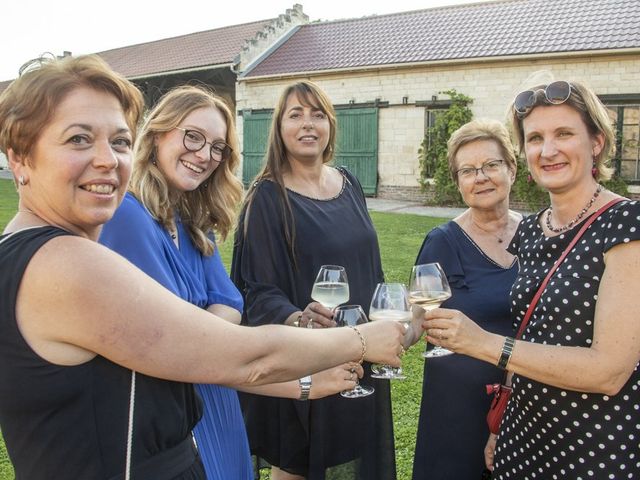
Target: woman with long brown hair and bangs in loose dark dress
[(300, 214)]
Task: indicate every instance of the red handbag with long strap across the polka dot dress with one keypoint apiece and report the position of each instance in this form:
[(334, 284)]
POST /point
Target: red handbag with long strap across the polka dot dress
[(502, 393)]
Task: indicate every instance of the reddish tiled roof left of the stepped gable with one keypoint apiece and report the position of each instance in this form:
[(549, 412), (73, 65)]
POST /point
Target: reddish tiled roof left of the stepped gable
[(211, 47)]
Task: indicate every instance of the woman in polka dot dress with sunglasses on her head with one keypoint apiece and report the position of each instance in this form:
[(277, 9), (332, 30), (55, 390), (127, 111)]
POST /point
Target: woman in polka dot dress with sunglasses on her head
[(575, 408)]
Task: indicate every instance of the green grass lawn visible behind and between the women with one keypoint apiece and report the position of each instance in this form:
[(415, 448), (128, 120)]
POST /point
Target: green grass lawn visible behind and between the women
[(400, 238)]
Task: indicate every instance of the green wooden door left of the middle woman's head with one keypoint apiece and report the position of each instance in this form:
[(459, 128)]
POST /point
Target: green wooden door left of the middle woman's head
[(254, 143)]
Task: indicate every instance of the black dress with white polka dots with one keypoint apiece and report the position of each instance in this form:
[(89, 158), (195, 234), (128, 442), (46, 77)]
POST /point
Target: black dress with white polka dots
[(551, 432)]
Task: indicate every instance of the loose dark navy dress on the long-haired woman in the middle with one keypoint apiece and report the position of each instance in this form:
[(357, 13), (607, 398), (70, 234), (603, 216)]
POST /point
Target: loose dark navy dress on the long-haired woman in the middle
[(307, 438)]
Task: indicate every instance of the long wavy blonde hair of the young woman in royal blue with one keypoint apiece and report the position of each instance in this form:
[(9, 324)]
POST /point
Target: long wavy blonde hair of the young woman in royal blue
[(212, 206)]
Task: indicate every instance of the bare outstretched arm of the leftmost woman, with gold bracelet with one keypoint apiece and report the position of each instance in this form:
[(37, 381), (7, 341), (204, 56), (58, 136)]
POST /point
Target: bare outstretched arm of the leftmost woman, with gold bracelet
[(78, 299)]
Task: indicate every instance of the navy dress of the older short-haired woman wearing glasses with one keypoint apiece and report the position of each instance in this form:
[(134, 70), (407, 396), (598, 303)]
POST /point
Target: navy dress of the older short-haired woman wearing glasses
[(452, 430)]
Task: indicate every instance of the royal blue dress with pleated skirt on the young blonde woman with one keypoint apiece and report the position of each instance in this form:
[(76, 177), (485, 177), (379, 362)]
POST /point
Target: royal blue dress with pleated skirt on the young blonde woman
[(221, 436)]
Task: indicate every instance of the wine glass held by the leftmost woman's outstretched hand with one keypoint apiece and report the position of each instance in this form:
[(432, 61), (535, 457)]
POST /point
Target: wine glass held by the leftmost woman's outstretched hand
[(390, 302)]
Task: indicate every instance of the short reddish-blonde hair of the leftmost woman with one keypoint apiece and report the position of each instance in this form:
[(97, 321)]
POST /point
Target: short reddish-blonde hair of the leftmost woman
[(30, 101)]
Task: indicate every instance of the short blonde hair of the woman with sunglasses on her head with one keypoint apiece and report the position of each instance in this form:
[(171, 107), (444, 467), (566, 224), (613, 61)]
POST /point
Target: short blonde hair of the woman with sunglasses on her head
[(594, 115)]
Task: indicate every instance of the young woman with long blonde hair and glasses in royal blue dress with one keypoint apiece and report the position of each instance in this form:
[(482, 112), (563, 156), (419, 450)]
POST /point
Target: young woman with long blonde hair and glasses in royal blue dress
[(182, 188)]
